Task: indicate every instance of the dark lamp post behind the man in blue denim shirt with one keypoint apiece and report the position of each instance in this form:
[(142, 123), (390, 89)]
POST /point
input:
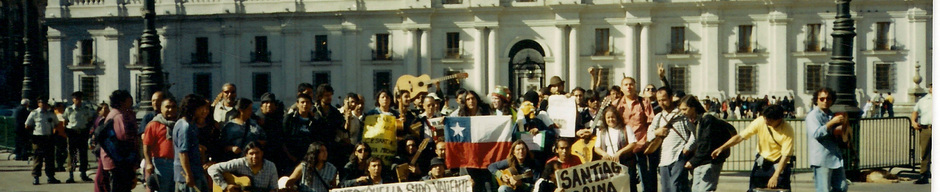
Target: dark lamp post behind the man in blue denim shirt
[(841, 78)]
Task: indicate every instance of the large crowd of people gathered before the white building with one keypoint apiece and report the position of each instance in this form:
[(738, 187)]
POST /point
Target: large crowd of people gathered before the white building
[(191, 143)]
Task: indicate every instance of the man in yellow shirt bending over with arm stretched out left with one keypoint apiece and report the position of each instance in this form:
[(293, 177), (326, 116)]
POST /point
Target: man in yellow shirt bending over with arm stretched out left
[(772, 166)]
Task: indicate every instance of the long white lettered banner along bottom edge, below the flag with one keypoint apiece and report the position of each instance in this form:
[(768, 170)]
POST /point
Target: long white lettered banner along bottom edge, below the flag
[(450, 184)]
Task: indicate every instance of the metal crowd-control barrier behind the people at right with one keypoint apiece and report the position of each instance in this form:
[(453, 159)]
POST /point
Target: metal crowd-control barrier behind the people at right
[(883, 143)]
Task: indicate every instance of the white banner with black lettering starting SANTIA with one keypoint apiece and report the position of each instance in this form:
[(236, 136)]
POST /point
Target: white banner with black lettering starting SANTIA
[(602, 175)]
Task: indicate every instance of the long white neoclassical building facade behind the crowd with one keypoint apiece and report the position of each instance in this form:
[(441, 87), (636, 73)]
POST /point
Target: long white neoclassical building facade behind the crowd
[(717, 48)]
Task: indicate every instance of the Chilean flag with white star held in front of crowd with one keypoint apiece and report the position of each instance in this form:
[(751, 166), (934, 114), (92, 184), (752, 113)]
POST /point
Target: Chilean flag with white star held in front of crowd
[(475, 142)]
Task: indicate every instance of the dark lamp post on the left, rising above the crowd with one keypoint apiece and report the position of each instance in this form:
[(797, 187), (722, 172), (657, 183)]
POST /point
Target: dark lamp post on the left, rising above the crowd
[(152, 72)]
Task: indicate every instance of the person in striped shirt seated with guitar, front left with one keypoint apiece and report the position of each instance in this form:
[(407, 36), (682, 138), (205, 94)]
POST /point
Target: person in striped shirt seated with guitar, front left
[(262, 172)]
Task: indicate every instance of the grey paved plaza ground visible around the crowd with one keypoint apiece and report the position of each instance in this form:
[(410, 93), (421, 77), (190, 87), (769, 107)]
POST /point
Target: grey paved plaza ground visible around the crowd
[(16, 177)]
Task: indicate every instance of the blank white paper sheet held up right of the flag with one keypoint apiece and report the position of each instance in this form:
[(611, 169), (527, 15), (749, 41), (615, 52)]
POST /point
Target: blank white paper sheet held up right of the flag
[(563, 112)]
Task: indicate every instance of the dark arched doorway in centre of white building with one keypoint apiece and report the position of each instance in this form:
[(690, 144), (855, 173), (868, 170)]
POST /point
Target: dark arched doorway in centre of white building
[(526, 67)]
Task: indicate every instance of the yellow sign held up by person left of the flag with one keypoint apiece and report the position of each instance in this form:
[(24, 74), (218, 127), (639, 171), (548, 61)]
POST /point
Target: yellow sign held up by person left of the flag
[(379, 133)]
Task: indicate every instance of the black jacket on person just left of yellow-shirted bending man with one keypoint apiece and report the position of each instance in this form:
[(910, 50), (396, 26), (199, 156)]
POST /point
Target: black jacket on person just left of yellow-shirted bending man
[(711, 133)]
